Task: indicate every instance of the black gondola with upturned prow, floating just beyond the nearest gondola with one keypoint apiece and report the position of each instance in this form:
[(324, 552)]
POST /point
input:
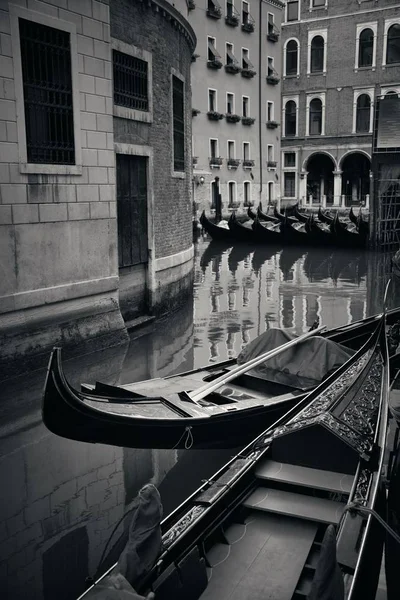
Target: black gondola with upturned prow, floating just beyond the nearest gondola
[(159, 413)]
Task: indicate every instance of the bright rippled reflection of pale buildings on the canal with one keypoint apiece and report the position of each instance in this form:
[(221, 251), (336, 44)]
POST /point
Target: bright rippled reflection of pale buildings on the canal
[(263, 287)]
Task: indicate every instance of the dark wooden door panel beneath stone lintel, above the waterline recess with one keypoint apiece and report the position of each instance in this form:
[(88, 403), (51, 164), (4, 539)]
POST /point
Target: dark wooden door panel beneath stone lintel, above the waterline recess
[(132, 210)]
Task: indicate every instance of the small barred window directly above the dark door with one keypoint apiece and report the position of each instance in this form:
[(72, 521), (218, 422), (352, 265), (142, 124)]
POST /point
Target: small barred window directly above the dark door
[(130, 81)]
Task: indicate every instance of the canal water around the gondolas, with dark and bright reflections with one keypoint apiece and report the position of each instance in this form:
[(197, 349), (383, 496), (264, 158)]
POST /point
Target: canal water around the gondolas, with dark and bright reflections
[(61, 500)]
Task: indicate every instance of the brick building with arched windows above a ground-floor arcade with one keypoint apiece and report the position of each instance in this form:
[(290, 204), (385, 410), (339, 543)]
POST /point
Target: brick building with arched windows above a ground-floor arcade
[(338, 57)]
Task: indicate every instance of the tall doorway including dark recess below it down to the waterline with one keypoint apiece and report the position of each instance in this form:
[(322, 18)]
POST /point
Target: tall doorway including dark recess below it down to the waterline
[(132, 235)]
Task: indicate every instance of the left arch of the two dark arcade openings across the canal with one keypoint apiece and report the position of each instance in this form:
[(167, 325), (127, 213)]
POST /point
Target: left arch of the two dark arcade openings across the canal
[(320, 168)]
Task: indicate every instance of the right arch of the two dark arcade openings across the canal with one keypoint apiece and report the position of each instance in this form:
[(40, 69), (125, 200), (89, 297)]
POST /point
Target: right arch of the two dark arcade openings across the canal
[(355, 169)]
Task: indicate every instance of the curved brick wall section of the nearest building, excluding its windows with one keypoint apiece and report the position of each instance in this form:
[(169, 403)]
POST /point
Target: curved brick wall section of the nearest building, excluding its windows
[(151, 30)]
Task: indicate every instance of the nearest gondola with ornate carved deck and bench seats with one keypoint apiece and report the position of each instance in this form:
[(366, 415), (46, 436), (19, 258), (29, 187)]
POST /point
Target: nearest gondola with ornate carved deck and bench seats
[(285, 518)]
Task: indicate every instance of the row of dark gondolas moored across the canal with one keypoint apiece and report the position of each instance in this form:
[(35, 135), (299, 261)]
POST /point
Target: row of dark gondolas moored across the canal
[(296, 228)]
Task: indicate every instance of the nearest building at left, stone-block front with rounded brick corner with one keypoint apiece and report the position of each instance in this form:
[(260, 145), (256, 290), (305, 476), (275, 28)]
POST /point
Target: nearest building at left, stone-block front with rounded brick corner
[(76, 153)]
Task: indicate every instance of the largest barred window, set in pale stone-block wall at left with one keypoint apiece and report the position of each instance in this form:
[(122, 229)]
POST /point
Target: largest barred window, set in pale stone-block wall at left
[(47, 84)]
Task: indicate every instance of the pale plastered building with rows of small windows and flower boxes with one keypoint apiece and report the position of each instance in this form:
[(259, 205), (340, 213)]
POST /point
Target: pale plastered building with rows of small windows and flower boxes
[(236, 81)]
